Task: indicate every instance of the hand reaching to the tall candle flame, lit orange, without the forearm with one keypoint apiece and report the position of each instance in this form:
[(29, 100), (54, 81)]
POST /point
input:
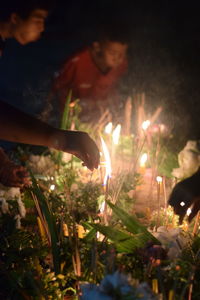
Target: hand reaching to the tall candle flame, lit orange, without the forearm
[(79, 144)]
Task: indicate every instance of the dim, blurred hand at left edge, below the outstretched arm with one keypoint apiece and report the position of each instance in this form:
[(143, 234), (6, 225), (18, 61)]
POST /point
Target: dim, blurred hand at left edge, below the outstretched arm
[(12, 175)]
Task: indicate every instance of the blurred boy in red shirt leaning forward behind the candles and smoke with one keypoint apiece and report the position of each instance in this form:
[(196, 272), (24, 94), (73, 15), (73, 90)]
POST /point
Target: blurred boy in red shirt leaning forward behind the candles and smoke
[(93, 74)]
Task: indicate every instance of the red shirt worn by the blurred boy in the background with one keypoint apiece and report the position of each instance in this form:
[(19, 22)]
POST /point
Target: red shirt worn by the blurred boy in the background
[(82, 76)]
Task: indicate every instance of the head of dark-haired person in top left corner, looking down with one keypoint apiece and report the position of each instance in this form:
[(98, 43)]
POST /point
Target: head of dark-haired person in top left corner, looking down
[(24, 19)]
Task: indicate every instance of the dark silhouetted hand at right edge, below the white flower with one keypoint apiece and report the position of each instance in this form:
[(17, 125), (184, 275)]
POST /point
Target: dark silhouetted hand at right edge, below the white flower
[(186, 194)]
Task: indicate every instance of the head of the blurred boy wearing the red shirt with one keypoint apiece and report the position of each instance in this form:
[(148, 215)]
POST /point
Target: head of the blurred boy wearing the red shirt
[(112, 48)]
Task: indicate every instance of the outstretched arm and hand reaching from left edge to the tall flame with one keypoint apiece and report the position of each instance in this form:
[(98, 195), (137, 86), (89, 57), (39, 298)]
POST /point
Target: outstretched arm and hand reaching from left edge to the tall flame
[(16, 126)]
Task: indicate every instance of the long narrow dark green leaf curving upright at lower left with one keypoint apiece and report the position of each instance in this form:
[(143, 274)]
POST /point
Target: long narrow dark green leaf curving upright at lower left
[(46, 210)]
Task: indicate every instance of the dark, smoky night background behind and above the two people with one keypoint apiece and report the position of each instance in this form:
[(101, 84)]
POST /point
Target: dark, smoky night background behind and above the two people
[(164, 55)]
